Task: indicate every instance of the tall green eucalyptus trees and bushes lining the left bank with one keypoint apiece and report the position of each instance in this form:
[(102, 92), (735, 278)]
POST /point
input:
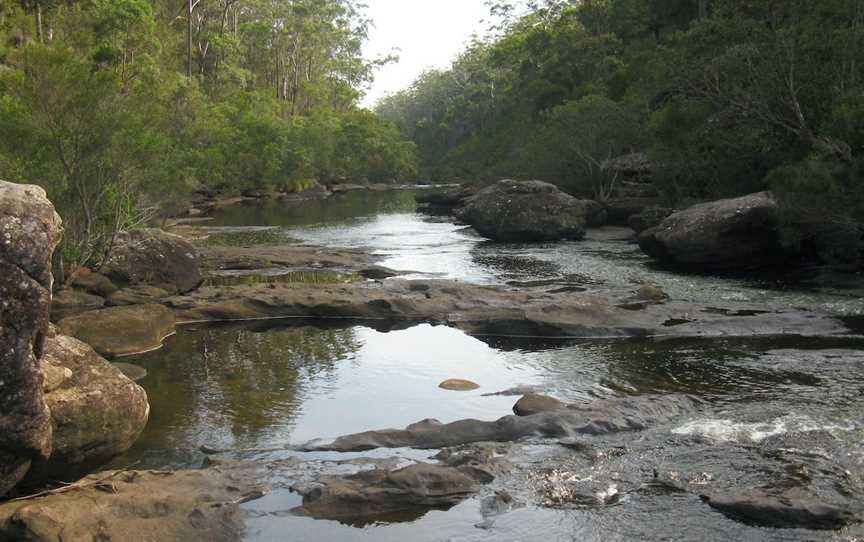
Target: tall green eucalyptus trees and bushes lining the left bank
[(120, 108)]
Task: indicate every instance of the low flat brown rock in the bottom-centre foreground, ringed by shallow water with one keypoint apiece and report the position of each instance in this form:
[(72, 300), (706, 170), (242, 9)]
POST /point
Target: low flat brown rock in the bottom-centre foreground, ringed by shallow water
[(379, 491)]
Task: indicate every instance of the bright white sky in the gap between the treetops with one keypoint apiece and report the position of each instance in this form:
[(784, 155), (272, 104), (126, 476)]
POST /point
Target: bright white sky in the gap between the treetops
[(428, 34)]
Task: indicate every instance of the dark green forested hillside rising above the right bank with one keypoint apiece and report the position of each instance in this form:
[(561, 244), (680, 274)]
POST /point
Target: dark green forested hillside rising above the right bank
[(726, 96)]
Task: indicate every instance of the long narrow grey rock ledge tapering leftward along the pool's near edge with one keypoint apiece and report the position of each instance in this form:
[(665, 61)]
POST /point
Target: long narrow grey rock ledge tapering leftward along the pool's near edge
[(595, 418)]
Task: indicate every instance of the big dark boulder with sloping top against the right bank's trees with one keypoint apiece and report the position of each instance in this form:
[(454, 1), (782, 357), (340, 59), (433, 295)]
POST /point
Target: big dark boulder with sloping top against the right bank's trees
[(731, 234)]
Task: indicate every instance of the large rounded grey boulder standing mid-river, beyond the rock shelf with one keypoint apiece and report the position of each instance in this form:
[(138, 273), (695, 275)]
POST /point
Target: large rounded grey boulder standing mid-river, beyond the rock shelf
[(514, 211)]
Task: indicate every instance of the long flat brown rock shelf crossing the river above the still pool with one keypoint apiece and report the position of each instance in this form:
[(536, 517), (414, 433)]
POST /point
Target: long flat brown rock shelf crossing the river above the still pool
[(490, 310)]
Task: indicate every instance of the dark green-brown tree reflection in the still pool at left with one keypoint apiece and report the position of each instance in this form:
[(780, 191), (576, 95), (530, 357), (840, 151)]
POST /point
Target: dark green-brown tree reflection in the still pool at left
[(235, 385)]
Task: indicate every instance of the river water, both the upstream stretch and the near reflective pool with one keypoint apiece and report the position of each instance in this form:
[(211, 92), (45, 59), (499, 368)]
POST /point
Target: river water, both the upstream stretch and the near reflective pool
[(262, 386)]
